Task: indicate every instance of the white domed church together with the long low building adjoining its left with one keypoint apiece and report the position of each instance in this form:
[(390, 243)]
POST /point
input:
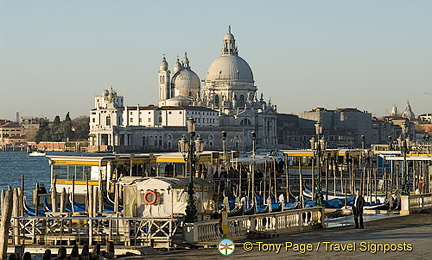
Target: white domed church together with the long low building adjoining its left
[(226, 101)]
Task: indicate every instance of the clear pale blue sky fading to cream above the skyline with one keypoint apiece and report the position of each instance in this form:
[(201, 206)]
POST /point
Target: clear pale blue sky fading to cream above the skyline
[(56, 56)]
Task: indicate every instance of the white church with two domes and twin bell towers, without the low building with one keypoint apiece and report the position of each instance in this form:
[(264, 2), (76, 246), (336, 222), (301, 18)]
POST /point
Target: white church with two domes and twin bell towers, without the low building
[(229, 88)]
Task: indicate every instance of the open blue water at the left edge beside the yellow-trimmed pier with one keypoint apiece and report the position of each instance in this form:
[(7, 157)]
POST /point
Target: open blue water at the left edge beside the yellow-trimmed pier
[(34, 168)]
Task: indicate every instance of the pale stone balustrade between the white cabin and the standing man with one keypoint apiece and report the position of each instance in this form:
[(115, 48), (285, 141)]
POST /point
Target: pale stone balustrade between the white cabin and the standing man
[(239, 227)]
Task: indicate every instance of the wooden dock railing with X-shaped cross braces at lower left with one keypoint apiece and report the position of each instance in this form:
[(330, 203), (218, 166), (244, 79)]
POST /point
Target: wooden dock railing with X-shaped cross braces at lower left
[(56, 230)]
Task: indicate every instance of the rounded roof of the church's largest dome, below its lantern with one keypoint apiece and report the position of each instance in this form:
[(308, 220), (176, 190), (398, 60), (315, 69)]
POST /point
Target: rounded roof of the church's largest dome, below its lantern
[(230, 68)]
